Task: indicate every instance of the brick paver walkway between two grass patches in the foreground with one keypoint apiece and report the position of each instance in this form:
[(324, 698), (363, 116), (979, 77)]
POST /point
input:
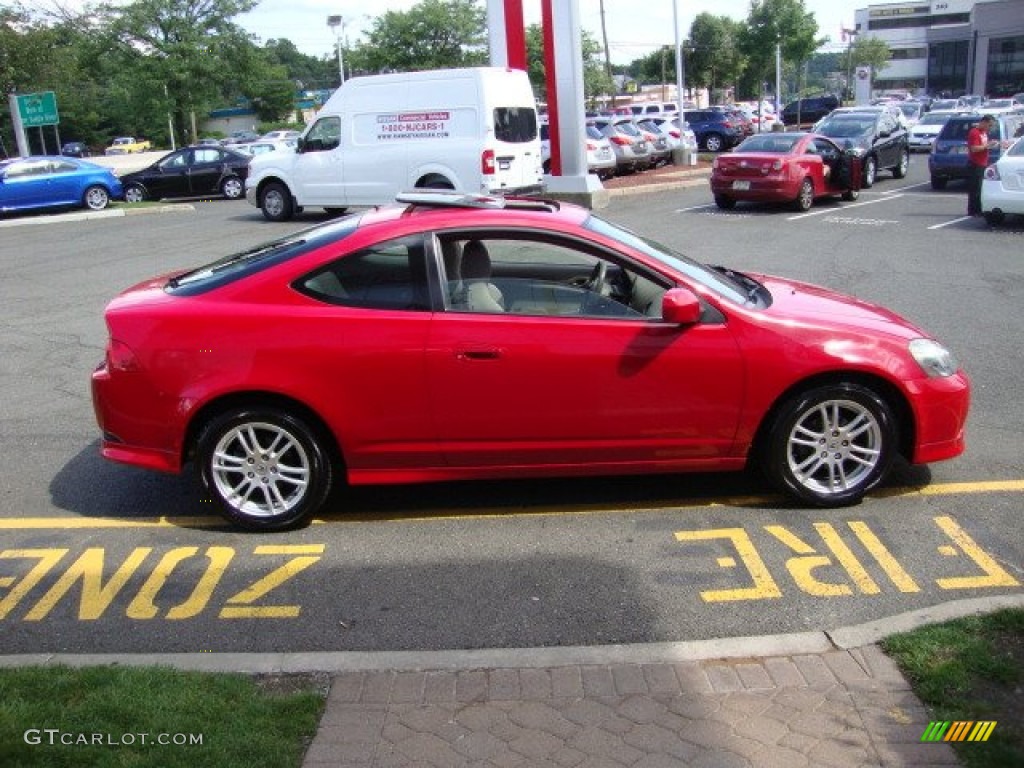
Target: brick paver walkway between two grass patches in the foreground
[(835, 709)]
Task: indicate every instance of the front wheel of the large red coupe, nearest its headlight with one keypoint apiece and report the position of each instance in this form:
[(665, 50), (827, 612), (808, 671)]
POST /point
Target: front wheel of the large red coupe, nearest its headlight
[(830, 446)]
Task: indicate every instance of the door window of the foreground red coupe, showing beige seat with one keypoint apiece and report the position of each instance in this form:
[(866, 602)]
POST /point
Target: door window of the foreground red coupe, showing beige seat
[(541, 277)]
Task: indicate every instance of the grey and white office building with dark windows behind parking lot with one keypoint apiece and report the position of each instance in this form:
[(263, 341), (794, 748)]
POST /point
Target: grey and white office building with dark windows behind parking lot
[(952, 48)]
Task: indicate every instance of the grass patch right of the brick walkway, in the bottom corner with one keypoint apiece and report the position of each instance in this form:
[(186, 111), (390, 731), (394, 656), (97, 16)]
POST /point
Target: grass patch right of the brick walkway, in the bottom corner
[(971, 669)]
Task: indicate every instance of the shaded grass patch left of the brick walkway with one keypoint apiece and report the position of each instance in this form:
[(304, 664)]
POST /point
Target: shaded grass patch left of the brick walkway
[(227, 720)]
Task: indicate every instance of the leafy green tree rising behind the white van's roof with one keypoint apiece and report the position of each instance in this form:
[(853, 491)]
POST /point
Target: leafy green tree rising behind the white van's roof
[(432, 35)]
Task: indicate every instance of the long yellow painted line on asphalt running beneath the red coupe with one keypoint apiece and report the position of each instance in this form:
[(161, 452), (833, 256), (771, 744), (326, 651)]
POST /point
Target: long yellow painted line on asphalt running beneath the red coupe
[(71, 524)]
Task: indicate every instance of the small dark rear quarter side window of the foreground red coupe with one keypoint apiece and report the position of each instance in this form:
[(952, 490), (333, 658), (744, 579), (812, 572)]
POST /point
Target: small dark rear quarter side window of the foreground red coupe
[(389, 276)]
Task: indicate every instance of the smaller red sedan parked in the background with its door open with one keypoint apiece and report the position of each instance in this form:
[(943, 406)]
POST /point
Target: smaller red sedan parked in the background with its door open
[(796, 168)]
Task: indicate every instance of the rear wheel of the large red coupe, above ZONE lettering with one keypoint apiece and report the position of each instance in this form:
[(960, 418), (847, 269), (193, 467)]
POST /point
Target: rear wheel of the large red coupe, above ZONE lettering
[(266, 468)]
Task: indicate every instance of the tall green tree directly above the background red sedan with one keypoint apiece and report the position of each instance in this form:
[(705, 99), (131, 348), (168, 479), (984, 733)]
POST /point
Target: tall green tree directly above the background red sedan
[(772, 23)]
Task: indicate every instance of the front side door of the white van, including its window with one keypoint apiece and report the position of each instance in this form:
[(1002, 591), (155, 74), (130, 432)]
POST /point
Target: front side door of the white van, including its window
[(320, 170)]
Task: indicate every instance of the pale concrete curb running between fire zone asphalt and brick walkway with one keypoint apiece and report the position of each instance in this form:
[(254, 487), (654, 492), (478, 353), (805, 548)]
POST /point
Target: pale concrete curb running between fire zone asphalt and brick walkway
[(803, 644)]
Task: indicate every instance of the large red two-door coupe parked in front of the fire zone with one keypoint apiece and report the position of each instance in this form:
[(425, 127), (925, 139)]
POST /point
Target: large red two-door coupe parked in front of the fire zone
[(458, 337)]
